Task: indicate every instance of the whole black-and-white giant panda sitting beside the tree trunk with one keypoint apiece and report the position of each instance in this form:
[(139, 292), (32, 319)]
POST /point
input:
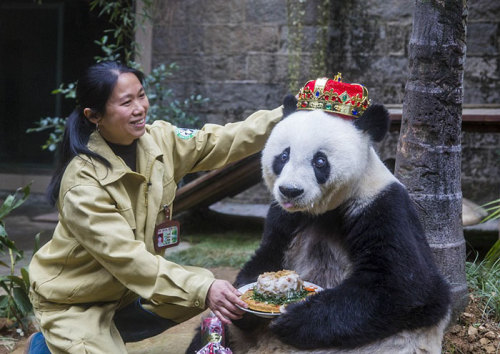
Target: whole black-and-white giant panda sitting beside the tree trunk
[(342, 221)]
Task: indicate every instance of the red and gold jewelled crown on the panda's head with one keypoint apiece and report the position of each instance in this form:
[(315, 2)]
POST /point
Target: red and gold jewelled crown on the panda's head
[(334, 96)]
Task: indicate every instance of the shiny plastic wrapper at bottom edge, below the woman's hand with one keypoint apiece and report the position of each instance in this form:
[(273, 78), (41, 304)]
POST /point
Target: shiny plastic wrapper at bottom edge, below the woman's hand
[(212, 336)]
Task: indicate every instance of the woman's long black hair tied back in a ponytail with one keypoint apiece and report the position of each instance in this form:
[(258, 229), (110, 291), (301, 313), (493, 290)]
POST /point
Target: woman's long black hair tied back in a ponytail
[(93, 90)]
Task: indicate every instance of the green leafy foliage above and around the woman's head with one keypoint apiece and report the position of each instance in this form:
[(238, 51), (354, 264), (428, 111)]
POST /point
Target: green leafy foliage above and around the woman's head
[(118, 44)]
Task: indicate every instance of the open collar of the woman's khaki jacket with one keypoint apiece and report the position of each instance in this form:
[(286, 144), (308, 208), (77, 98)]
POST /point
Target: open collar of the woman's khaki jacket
[(147, 152)]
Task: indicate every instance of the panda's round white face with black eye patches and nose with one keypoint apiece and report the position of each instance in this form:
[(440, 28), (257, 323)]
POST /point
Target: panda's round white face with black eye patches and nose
[(313, 161)]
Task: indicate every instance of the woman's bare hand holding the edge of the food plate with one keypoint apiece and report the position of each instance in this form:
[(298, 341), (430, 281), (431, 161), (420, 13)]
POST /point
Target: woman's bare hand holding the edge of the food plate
[(222, 298)]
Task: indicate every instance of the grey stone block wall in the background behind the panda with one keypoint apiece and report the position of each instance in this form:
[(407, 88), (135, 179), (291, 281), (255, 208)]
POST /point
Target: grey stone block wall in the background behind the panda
[(236, 52)]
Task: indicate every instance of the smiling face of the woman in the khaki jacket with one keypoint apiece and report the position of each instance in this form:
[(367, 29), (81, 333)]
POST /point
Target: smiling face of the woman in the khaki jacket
[(126, 109)]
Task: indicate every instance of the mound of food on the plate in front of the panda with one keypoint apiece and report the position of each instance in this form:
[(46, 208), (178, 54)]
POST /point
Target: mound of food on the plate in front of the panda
[(276, 289)]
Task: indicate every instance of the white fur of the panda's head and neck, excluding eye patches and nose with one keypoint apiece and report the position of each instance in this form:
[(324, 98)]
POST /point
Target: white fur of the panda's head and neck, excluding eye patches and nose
[(356, 169)]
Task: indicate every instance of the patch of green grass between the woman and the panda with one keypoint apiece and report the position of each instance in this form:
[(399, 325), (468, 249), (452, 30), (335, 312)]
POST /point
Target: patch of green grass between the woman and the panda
[(228, 249)]
